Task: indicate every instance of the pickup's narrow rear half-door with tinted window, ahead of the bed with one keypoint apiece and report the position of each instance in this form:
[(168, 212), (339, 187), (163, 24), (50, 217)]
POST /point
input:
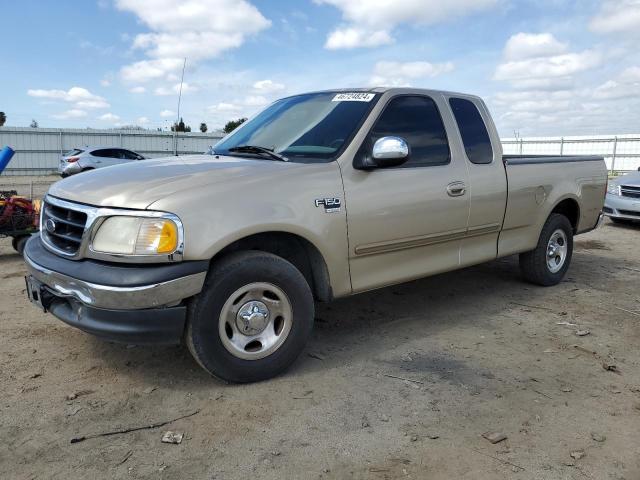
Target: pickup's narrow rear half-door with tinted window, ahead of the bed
[(487, 179)]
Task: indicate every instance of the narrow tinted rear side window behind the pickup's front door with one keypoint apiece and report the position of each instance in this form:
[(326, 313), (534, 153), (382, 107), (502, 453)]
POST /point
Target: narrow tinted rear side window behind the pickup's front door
[(475, 137)]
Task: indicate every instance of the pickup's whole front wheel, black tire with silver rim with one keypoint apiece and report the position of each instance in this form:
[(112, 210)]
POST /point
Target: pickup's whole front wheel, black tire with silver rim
[(252, 318)]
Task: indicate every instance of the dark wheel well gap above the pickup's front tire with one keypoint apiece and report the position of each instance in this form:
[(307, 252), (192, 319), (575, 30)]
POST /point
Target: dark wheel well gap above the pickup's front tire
[(294, 248)]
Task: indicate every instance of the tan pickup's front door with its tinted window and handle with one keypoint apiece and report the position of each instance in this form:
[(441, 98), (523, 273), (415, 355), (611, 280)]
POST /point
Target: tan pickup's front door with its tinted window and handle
[(407, 222)]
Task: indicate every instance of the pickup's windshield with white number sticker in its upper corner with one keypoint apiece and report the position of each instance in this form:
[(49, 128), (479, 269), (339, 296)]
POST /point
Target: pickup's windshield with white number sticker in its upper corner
[(312, 127)]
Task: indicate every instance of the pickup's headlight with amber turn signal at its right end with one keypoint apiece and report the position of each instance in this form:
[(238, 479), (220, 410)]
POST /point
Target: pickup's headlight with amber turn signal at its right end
[(127, 235)]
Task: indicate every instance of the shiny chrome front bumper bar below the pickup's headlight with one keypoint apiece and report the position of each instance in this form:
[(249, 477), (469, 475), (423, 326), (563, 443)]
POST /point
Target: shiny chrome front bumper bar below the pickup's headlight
[(154, 295)]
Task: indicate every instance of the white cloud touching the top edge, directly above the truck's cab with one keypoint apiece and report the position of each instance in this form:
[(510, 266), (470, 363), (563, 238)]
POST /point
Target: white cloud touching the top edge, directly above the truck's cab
[(370, 23)]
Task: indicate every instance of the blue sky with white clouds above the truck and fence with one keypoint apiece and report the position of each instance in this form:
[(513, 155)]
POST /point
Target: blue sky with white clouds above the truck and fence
[(545, 67)]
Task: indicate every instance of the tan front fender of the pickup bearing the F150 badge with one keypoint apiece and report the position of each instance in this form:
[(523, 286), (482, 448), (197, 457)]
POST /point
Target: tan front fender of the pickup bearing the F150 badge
[(216, 216)]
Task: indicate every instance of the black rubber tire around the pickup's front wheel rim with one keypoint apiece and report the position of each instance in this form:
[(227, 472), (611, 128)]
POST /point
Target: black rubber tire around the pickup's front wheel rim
[(227, 276)]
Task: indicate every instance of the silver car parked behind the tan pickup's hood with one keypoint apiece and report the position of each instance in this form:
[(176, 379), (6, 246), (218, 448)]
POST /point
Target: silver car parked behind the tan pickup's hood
[(89, 158)]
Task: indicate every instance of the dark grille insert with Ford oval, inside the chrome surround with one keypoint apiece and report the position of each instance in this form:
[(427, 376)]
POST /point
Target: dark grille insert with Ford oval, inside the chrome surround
[(63, 227)]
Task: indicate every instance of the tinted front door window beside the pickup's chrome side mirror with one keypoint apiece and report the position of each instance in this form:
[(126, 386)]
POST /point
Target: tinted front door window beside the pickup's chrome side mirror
[(418, 121)]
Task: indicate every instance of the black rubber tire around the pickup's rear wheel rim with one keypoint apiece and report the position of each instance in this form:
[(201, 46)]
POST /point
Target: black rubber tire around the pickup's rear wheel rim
[(533, 264)]
